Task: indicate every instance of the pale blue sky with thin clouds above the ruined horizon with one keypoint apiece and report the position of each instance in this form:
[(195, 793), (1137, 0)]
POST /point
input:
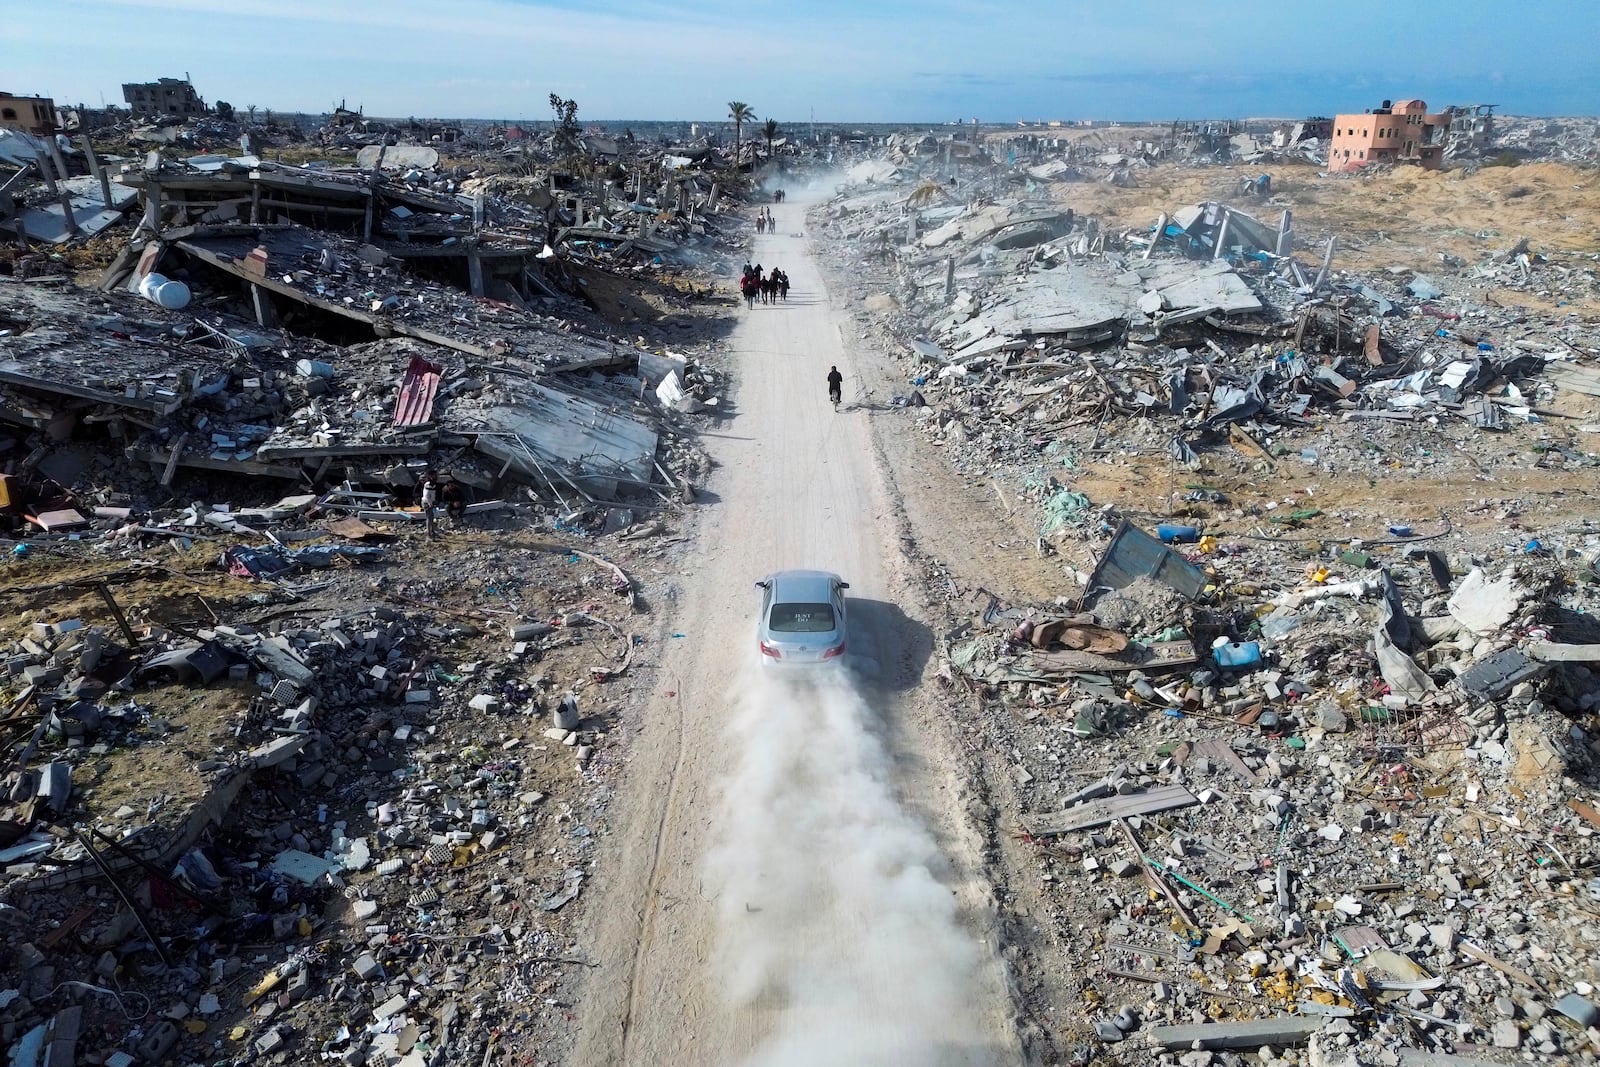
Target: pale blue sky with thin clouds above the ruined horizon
[(839, 60)]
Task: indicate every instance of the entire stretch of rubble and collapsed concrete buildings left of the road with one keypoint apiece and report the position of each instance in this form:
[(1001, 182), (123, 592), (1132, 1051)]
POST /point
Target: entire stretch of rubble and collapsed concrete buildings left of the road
[(286, 777)]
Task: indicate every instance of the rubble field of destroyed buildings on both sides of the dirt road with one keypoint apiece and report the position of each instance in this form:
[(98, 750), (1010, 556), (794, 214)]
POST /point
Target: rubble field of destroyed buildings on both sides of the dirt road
[(1260, 535)]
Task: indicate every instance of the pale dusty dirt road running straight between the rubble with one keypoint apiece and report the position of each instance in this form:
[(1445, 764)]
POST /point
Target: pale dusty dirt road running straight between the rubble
[(793, 881)]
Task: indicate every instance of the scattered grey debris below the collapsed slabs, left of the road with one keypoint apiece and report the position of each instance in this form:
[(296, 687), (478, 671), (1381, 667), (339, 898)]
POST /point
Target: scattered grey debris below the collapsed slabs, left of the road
[(342, 825)]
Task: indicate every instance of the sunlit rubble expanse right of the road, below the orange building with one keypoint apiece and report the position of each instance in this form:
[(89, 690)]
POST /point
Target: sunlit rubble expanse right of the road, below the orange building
[(1303, 740)]
